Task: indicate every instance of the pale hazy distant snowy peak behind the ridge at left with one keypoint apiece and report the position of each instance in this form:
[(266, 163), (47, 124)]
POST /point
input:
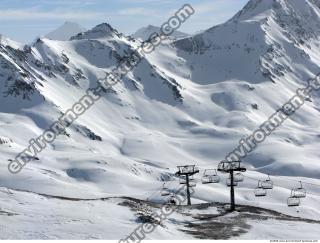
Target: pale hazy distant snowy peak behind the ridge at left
[(64, 32)]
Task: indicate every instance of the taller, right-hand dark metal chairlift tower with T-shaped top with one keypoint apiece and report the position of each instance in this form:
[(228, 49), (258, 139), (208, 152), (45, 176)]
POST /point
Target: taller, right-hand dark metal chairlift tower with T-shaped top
[(231, 167)]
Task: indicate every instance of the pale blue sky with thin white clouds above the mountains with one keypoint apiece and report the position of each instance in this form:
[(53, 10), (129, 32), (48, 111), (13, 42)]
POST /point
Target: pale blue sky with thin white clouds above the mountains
[(24, 20)]
